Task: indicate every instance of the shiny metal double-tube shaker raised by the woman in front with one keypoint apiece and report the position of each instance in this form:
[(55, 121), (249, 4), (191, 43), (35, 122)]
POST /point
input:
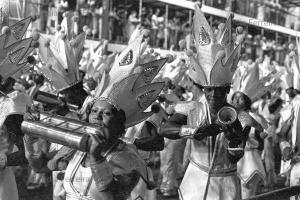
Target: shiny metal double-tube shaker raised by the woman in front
[(68, 132)]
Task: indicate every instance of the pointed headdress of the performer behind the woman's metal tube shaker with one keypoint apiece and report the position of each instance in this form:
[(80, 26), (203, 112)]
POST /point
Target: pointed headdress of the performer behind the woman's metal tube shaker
[(61, 66)]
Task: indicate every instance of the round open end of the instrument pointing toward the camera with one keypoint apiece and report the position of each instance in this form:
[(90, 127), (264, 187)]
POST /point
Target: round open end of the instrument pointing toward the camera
[(227, 115)]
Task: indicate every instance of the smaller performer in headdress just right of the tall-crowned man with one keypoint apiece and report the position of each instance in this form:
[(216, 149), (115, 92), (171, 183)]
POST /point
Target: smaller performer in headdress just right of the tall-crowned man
[(248, 88)]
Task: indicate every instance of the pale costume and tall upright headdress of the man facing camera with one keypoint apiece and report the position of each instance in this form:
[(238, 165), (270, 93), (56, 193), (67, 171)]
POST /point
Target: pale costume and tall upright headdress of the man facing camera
[(212, 172)]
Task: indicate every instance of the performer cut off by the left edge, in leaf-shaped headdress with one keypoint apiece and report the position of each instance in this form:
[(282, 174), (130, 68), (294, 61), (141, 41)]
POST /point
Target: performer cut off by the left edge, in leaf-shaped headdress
[(13, 104)]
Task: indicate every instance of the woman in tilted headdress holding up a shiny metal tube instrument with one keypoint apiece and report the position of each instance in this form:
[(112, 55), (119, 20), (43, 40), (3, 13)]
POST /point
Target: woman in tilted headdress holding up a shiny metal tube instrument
[(120, 104)]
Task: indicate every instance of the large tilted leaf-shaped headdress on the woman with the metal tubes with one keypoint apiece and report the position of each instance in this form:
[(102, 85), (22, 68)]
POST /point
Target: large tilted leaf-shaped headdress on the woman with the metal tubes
[(129, 85)]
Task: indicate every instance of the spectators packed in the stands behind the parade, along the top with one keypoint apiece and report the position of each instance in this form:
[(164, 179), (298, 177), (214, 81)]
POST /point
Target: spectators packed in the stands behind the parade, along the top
[(123, 19)]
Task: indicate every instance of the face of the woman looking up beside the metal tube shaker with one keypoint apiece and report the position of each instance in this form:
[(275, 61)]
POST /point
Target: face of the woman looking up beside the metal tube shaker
[(102, 113)]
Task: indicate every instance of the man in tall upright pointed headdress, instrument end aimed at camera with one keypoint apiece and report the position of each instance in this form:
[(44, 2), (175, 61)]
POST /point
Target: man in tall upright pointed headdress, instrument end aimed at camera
[(212, 171)]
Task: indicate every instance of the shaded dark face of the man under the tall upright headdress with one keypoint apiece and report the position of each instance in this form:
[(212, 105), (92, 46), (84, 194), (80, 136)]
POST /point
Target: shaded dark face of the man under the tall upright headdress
[(215, 96)]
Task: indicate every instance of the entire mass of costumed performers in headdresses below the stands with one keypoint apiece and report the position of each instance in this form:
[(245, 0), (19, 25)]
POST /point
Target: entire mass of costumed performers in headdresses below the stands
[(210, 115)]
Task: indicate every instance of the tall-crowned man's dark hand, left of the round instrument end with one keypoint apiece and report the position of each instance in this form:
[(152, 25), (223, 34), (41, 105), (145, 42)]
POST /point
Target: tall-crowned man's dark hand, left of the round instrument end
[(207, 130)]
